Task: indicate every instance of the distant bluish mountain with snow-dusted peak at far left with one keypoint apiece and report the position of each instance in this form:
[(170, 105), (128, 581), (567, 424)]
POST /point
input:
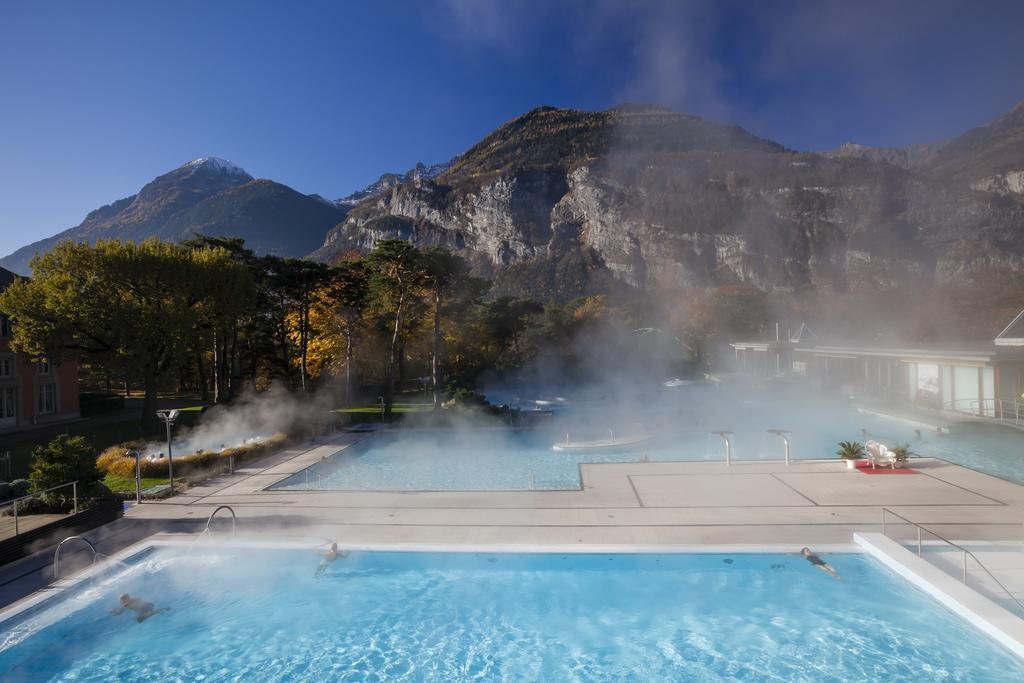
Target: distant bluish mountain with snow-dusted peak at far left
[(208, 196)]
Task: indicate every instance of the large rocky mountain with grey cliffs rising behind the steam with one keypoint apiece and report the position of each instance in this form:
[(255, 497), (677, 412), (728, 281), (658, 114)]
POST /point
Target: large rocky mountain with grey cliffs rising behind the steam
[(664, 201)]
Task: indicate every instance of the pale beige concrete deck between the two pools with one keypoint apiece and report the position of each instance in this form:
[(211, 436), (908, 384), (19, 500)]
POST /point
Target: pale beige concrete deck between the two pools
[(681, 503)]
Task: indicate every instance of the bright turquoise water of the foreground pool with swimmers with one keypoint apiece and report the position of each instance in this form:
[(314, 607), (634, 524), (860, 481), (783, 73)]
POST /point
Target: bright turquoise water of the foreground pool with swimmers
[(262, 616)]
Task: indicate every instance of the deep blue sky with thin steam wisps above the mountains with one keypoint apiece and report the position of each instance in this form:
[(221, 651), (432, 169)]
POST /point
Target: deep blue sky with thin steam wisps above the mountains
[(98, 99)]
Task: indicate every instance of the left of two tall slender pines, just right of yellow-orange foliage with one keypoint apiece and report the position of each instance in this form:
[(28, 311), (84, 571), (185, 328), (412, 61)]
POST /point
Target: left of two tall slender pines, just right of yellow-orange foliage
[(398, 278)]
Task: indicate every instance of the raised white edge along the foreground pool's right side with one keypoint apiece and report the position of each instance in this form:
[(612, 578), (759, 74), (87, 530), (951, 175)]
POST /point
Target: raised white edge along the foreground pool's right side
[(995, 621)]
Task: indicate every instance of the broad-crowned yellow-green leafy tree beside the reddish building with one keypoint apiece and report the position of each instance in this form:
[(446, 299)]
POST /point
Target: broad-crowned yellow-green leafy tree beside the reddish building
[(121, 304)]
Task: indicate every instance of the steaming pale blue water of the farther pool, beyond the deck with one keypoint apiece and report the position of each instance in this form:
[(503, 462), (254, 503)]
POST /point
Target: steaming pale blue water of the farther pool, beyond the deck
[(506, 460)]
